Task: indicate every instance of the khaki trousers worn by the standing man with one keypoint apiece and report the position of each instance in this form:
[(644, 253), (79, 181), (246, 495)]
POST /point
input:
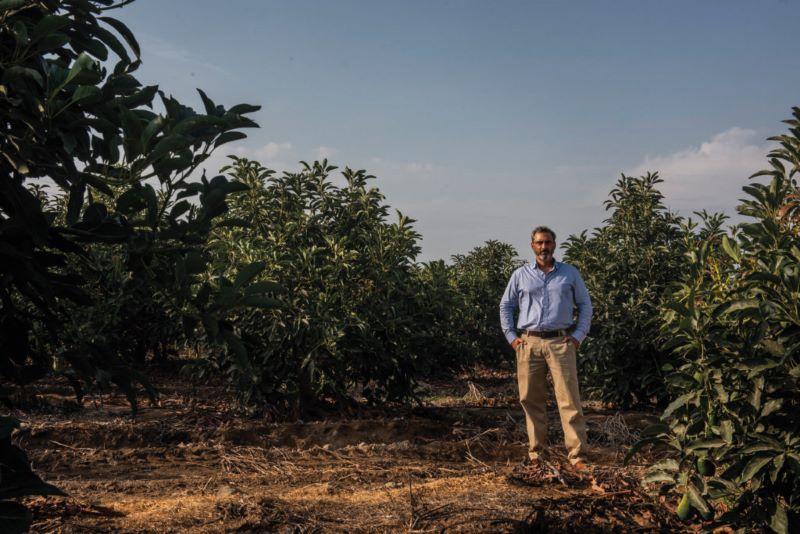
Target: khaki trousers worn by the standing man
[(534, 357)]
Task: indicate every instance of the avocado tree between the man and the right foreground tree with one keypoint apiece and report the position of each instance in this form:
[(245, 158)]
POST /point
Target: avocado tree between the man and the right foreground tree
[(628, 265)]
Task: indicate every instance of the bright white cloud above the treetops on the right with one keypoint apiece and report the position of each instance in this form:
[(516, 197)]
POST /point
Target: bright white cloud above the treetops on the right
[(710, 176)]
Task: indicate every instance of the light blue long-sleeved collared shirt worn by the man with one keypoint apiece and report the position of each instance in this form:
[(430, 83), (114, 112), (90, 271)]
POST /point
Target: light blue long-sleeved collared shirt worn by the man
[(546, 301)]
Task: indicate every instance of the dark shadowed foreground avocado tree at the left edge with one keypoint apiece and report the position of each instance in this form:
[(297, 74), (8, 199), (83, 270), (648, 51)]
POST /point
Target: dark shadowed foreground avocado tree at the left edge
[(75, 116)]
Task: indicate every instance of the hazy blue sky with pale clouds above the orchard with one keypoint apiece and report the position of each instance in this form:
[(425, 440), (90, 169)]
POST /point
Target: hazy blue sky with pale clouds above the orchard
[(482, 120)]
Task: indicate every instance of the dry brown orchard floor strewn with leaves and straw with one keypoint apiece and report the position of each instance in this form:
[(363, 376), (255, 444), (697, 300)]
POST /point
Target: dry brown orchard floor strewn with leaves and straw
[(445, 464)]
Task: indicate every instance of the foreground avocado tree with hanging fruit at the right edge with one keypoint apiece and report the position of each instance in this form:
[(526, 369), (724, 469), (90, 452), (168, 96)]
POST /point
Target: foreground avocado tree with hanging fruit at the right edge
[(733, 321)]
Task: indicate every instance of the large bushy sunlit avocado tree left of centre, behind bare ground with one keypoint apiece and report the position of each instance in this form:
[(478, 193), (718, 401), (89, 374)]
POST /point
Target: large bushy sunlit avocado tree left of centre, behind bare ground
[(348, 274)]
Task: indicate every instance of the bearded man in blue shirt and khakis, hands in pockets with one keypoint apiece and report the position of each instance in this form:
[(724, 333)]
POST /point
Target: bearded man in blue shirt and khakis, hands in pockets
[(546, 293)]
